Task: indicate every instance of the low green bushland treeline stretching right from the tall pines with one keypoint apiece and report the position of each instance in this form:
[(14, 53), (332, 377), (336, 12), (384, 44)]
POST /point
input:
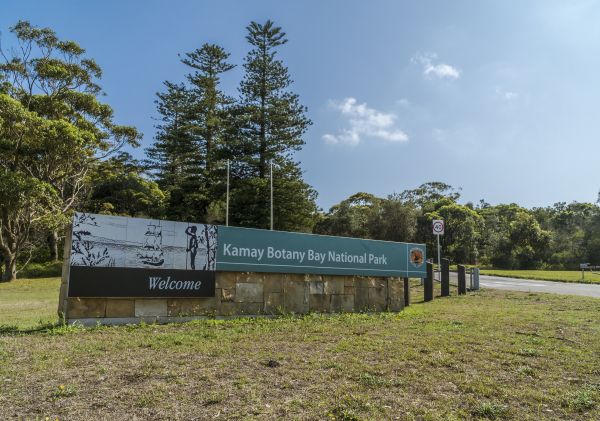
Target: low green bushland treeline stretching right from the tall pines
[(502, 236)]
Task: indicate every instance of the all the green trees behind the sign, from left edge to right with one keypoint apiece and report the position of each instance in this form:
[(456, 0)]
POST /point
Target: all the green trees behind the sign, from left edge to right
[(60, 150)]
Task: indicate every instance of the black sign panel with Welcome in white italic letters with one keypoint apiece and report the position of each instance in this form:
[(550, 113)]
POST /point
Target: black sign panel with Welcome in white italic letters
[(85, 281)]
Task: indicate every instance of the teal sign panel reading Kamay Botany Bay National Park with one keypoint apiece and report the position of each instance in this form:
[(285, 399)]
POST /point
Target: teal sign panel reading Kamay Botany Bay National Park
[(254, 250)]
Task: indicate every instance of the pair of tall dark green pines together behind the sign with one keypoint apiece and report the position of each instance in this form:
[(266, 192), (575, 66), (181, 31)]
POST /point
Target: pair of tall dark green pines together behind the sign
[(201, 128)]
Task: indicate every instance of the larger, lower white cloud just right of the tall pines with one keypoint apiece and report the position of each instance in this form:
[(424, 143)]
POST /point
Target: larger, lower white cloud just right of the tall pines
[(364, 121)]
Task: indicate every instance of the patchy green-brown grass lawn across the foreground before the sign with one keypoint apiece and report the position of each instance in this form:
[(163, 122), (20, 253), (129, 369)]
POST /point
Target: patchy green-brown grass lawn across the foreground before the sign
[(487, 355)]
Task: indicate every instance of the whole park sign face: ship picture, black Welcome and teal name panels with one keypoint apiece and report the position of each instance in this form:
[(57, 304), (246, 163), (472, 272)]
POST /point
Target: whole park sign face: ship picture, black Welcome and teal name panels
[(113, 256)]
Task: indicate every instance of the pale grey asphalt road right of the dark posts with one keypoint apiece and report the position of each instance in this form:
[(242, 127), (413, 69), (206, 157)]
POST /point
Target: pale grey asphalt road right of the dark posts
[(533, 285)]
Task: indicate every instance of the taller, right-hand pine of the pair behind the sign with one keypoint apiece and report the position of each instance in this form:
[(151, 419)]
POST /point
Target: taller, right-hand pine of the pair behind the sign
[(272, 125)]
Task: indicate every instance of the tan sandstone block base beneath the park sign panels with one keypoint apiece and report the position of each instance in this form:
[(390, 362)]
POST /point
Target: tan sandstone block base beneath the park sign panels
[(248, 294)]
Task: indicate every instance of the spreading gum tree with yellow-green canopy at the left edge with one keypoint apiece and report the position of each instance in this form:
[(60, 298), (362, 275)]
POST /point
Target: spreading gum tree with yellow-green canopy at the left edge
[(53, 130)]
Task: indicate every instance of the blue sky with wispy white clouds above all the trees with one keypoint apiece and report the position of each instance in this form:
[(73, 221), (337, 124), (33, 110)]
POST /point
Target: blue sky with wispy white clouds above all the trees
[(498, 98)]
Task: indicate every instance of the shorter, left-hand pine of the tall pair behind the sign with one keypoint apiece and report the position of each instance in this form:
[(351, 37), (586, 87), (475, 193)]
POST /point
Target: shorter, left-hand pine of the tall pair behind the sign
[(188, 153)]
